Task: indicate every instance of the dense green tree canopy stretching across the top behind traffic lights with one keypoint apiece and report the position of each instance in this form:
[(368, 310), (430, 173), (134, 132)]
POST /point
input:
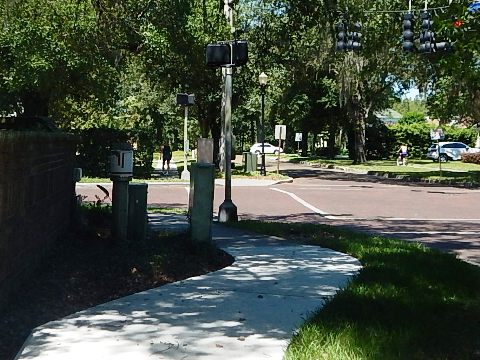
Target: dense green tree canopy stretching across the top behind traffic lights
[(120, 64)]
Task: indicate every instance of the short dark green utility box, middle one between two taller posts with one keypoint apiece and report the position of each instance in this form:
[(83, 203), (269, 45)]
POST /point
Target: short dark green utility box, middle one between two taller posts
[(137, 212)]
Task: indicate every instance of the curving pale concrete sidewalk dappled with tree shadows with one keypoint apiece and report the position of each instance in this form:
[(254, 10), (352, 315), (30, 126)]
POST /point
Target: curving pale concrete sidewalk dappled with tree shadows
[(248, 310)]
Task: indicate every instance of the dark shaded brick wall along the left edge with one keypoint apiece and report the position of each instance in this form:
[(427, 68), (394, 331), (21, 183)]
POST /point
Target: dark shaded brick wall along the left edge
[(36, 199)]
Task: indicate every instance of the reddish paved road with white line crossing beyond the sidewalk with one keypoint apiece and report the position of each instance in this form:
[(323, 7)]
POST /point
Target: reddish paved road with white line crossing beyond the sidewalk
[(441, 217)]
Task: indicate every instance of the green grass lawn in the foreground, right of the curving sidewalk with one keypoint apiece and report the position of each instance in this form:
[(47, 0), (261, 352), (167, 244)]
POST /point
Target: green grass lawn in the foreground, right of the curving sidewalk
[(408, 301)]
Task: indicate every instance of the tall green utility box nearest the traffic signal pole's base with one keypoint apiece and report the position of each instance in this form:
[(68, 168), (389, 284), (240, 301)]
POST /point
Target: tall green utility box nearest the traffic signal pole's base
[(202, 185)]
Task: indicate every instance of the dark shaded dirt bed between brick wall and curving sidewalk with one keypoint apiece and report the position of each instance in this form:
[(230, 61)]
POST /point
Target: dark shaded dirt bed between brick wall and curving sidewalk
[(88, 270)]
